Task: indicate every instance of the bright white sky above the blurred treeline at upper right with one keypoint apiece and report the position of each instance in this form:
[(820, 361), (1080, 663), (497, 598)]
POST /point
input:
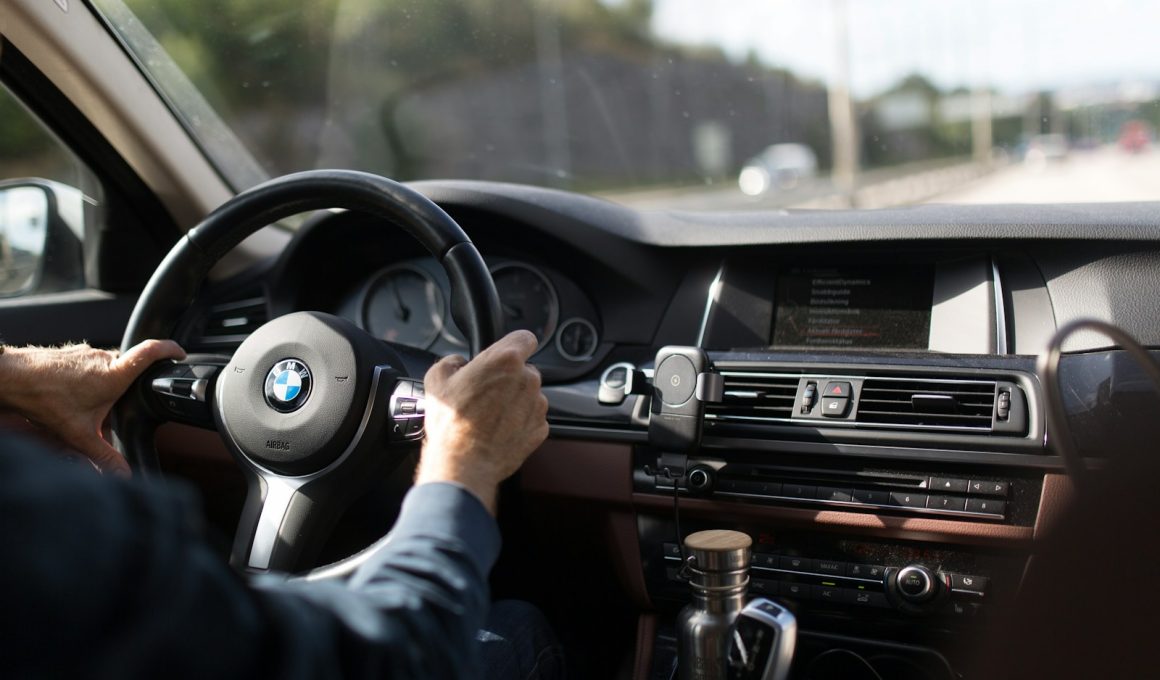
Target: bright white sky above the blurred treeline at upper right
[(1018, 46)]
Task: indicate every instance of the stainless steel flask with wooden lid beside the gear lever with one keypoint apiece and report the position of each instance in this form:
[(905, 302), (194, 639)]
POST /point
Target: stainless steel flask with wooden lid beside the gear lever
[(719, 568)]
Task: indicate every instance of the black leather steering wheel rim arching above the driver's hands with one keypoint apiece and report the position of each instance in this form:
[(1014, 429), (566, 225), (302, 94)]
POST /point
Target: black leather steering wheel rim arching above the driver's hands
[(179, 278)]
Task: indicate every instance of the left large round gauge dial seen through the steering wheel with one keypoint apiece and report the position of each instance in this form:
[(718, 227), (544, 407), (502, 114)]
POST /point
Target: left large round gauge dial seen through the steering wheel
[(405, 306)]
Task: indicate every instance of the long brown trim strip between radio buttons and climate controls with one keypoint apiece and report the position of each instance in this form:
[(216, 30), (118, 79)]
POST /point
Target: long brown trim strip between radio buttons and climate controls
[(873, 525)]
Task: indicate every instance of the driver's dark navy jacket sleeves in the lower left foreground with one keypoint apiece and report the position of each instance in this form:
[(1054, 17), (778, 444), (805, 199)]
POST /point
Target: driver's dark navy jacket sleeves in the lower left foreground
[(111, 578)]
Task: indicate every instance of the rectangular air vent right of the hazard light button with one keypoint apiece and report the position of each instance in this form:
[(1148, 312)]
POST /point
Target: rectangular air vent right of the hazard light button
[(922, 404)]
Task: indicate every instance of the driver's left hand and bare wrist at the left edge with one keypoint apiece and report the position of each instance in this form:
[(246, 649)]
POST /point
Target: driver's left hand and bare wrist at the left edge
[(70, 392)]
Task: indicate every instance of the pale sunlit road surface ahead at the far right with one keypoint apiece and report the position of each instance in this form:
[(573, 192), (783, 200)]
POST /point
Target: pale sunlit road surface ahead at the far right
[(1084, 177)]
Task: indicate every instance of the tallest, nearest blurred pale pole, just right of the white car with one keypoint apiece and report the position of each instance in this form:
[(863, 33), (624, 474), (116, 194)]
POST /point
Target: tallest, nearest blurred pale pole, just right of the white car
[(843, 126)]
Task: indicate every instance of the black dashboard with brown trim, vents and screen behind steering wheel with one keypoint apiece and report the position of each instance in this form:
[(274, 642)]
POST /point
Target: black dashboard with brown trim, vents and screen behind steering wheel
[(881, 408)]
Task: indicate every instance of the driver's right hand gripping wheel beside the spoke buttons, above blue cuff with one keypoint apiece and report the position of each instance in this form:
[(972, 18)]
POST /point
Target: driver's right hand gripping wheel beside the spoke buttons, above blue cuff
[(484, 417)]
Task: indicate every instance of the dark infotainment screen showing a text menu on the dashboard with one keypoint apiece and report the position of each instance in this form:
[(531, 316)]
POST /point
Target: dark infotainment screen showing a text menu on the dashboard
[(854, 307)]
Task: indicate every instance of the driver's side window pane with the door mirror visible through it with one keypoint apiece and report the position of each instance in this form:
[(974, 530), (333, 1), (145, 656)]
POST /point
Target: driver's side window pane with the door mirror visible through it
[(48, 198)]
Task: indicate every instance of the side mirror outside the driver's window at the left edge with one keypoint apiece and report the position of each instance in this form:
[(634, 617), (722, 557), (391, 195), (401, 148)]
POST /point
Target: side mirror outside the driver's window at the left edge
[(42, 228)]
